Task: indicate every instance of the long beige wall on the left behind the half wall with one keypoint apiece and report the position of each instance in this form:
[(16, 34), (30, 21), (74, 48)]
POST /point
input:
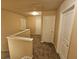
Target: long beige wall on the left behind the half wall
[(10, 24)]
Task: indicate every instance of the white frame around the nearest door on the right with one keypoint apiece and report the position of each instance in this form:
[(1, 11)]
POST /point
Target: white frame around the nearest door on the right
[(60, 23)]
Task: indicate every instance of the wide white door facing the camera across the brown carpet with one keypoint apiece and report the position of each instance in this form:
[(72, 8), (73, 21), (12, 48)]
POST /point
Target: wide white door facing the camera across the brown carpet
[(48, 28)]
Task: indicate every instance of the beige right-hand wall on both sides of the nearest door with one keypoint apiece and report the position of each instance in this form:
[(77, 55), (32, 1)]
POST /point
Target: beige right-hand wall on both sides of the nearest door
[(72, 50)]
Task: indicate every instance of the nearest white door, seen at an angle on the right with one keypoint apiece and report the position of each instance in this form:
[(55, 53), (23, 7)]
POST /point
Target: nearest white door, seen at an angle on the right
[(66, 28)]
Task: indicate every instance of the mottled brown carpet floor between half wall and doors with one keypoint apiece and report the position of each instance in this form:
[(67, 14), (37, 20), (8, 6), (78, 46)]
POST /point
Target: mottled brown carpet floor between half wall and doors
[(43, 50)]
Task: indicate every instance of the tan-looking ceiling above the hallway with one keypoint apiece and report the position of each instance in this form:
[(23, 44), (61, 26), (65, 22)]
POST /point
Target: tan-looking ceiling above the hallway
[(23, 6)]
